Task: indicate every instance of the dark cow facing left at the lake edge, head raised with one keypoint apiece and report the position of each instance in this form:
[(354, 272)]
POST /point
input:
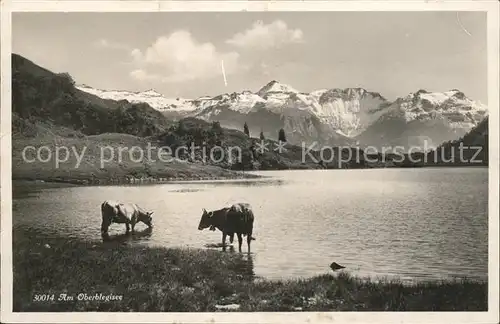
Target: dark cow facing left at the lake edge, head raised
[(237, 219)]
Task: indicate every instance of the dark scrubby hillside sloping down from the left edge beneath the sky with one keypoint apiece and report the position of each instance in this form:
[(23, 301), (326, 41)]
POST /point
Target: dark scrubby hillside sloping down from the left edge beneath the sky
[(42, 97)]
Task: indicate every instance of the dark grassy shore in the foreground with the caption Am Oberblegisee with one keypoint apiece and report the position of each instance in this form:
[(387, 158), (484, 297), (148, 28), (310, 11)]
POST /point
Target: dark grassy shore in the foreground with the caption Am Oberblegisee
[(173, 279)]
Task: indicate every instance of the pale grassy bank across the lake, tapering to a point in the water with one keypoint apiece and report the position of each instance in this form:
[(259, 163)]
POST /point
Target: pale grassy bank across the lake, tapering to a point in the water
[(101, 162)]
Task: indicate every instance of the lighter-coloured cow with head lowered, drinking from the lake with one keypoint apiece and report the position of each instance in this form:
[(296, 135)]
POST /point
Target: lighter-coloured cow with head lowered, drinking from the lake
[(128, 214)]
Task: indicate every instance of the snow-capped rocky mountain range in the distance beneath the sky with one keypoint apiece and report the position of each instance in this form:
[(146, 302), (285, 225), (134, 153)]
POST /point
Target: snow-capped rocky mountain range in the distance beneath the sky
[(352, 116)]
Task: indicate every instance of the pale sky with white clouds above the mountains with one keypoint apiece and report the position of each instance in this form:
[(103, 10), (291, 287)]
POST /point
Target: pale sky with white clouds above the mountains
[(181, 54)]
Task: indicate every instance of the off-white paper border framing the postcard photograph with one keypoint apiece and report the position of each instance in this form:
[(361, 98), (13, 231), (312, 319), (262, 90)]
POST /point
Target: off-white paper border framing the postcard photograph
[(492, 9)]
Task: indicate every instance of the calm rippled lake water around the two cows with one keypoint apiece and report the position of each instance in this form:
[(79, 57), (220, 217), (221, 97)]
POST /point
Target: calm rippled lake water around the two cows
[(414, 224)]
